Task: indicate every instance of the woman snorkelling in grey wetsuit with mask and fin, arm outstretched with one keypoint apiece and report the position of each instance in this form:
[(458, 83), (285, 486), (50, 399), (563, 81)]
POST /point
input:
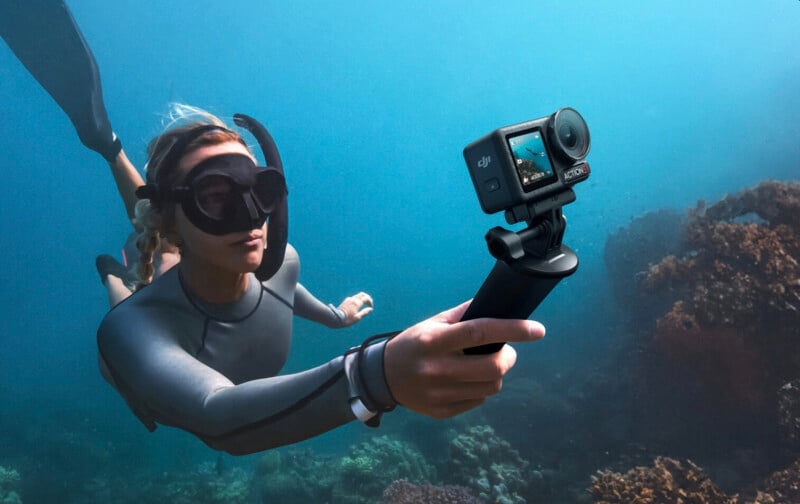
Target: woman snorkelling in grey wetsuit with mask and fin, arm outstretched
[(200, 348)]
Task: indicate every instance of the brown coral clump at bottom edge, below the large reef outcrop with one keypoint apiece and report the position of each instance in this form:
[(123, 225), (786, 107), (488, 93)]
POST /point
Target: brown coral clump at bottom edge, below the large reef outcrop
[(667, 481)]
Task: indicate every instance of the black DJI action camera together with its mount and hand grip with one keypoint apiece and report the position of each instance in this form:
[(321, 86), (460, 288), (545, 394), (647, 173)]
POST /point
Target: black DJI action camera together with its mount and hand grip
[(528, 170)]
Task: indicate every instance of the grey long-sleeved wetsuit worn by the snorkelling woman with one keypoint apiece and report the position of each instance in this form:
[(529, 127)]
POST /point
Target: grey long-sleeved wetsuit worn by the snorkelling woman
[(213, 370)]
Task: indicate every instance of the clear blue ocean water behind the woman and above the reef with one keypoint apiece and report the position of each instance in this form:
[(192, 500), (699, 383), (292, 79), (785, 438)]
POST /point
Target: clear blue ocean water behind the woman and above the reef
[(371, 105)]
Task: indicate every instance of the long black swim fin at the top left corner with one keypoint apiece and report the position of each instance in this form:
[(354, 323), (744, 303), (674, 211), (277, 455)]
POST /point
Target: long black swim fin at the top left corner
[(44, 36)]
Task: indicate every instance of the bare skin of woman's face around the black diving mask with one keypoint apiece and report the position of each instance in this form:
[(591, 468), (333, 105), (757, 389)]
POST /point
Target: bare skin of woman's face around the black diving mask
[(239, 252)]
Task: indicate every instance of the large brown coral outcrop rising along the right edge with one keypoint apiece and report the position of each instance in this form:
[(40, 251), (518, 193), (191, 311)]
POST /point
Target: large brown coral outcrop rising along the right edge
[(738, 320)]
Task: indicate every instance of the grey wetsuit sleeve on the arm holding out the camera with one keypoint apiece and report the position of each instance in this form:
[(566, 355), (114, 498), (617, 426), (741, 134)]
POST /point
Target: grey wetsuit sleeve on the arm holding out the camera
[(162, 380)]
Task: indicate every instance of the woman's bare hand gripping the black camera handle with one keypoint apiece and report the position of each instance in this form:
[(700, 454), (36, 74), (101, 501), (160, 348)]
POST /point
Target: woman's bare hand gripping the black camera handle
[(428, 372)]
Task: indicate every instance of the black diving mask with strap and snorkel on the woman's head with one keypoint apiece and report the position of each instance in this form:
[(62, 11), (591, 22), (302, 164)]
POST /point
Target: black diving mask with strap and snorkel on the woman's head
[(277, 214)]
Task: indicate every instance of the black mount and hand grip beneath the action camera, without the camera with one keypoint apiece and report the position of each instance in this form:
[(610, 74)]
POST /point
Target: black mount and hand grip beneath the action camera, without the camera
[(530, 263)]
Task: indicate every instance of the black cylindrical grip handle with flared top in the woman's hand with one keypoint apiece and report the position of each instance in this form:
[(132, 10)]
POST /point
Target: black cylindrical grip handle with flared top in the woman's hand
[(513, 291)]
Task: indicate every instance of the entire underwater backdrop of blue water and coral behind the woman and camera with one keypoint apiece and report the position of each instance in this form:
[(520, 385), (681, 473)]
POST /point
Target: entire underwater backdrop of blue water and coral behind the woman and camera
[(371, 104)]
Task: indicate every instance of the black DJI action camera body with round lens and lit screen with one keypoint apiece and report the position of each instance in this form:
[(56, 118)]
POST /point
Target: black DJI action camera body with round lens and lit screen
[(515, 167)]
